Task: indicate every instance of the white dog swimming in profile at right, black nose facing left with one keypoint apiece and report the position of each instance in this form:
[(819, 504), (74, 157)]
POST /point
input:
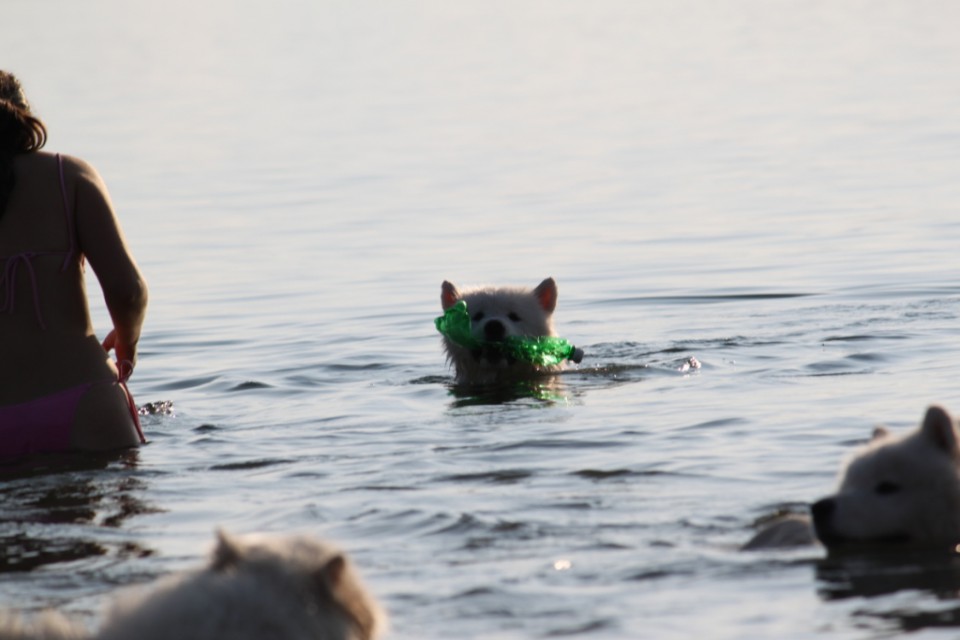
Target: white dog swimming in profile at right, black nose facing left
[(902, 490)]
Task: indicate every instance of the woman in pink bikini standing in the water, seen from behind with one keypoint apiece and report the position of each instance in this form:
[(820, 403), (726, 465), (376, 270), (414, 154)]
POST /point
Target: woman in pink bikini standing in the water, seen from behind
[(59, 390)]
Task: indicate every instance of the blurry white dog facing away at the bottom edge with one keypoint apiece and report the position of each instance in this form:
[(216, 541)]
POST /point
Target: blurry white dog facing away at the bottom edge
[(254, 588)]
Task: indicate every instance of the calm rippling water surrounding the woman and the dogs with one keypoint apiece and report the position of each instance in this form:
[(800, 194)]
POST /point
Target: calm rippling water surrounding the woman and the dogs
[(769, 187)]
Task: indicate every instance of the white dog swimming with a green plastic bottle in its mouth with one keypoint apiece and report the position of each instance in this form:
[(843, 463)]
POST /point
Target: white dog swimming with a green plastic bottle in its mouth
[(497, 313)]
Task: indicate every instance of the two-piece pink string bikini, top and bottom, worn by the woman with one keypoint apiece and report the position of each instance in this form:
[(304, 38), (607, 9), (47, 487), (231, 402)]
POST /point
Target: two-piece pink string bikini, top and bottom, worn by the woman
[(44, 424)]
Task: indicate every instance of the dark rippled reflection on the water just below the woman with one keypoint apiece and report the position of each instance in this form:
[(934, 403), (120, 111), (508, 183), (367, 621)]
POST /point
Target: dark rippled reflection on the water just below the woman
[(52, 505)]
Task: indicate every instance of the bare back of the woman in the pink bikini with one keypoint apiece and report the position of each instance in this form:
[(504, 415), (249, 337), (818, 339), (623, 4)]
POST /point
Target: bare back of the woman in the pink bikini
[(42, 293)]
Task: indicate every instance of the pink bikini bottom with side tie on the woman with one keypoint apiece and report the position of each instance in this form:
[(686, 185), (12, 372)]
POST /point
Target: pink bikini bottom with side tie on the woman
[(44, 425)]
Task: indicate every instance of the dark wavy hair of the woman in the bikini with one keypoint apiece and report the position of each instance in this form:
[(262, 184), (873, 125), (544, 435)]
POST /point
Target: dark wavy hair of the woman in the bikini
[(20, 132)]
